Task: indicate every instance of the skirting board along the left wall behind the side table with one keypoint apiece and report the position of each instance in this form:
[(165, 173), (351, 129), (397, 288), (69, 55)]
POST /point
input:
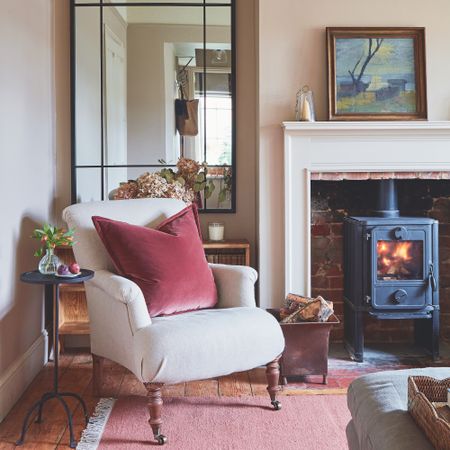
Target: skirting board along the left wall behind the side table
[(21, 373)]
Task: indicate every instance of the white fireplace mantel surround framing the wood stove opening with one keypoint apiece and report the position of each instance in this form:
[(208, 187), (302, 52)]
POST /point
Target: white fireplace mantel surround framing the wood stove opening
[(348, 147)]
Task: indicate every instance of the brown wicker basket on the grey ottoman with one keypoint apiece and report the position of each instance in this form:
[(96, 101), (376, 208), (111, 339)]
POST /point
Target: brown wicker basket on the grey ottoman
[(424, 396)]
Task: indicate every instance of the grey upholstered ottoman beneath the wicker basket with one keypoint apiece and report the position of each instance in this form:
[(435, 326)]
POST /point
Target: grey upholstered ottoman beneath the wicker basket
[(378, 404)]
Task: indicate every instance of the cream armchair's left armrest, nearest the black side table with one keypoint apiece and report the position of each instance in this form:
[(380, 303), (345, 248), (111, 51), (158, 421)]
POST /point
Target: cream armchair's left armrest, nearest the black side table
[(123, 290)]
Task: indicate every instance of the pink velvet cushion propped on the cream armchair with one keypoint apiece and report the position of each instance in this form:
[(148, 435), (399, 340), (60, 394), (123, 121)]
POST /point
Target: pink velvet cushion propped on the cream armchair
[(168, 263)]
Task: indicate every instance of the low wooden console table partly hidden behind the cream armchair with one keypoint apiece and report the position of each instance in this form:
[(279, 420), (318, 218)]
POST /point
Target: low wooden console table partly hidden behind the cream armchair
[(73, 317)]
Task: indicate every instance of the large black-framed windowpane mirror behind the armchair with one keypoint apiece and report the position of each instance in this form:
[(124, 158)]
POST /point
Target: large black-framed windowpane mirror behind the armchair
[(153, 82)]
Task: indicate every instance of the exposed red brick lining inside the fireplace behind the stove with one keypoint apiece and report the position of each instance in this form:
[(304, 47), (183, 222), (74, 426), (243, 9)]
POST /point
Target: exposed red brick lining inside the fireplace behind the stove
[(331, 201)]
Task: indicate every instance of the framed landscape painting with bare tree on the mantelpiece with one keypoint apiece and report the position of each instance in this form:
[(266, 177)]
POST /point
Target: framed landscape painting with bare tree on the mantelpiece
[(376, 74)]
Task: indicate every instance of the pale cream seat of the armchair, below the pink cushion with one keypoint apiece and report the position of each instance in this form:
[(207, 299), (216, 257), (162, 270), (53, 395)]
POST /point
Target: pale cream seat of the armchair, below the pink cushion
[(208, 343)]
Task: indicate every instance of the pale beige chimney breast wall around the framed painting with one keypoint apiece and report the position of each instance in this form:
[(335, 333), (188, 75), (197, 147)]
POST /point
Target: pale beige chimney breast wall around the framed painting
[(292, 53)]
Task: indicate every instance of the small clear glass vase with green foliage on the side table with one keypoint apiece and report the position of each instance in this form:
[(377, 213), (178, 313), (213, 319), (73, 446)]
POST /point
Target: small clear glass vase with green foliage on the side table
[(50, 237)]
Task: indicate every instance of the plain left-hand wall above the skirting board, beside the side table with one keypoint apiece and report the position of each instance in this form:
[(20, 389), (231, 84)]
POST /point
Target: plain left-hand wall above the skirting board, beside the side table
[(27, 169)]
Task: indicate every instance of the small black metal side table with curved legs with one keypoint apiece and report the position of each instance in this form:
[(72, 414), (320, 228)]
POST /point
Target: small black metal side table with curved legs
[(53, 281)]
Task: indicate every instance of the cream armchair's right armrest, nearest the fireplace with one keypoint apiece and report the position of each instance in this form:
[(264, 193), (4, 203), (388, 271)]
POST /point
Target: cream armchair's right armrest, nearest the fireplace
[(235, 285)]
